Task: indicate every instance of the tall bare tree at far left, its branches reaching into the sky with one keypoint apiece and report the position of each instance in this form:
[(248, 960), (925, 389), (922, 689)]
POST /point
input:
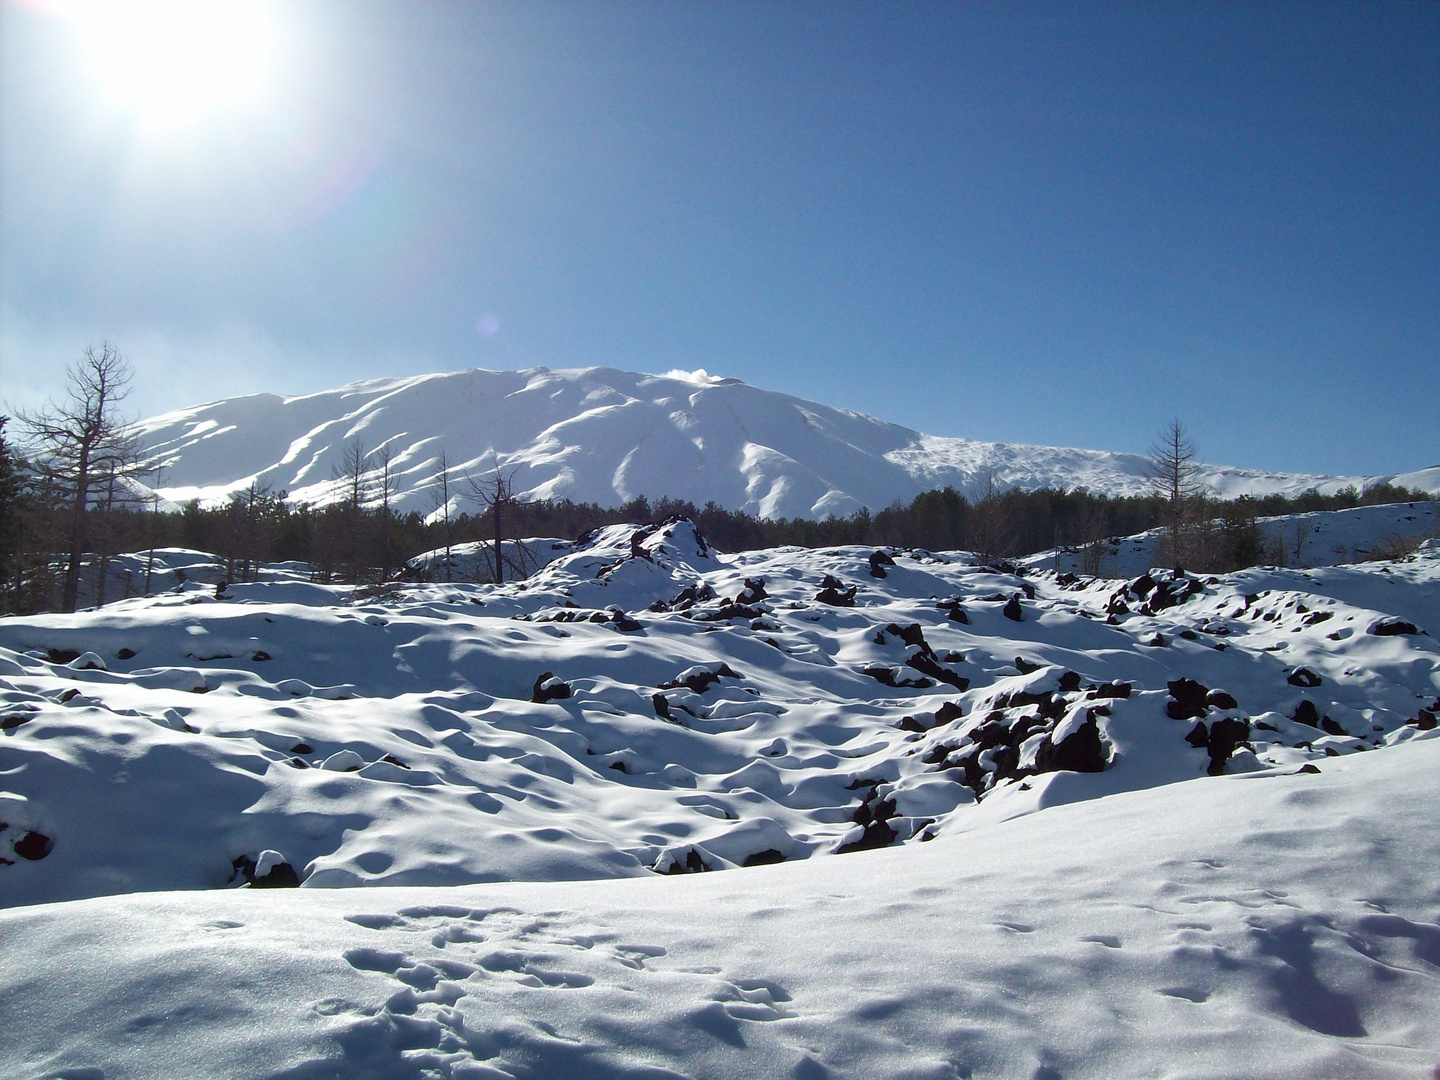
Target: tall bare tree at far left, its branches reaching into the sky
[(83, 446)]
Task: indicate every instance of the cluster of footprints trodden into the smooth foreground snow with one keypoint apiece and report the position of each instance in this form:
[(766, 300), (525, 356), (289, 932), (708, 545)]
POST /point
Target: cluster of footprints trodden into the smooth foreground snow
[(443, 957)]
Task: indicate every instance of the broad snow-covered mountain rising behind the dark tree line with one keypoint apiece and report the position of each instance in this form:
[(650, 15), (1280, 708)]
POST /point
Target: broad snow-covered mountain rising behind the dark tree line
[(601, 436)]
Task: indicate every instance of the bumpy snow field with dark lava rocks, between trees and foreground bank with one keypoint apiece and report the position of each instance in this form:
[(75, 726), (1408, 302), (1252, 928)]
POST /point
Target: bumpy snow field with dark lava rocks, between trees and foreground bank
[(715, 711)]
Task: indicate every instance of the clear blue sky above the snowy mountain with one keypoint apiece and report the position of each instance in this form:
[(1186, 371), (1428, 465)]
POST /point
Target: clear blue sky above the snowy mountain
[(1058, 224)]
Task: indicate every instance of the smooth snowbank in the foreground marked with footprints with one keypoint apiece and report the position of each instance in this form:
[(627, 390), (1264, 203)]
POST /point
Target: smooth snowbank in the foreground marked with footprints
[(1256, 927)]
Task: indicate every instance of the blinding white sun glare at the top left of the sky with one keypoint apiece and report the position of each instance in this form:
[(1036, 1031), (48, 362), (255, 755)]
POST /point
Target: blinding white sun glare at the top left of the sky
[(175, 61)]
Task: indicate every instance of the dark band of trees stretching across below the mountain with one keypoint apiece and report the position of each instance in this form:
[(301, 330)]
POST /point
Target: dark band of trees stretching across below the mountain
[(70, 505)]
